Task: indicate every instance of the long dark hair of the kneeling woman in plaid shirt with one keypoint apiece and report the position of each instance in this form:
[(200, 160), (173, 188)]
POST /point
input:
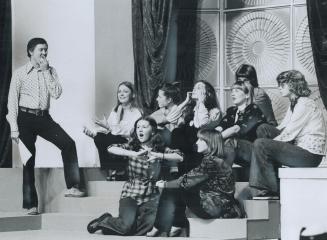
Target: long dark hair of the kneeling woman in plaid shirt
[(156, 141)]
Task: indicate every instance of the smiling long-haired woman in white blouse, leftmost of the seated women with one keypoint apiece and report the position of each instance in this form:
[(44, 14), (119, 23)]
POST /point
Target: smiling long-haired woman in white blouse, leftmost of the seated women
[(116, 129)]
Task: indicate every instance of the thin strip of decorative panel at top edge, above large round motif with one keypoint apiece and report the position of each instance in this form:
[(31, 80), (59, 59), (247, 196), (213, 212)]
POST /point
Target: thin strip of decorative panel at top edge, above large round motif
[(230, 4)]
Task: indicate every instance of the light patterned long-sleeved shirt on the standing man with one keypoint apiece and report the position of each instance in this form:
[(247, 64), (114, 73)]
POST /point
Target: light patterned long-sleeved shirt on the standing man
[(31, 88)]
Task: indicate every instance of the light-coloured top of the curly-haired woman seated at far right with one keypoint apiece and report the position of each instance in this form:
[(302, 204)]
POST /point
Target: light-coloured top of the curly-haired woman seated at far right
[(305, 126)]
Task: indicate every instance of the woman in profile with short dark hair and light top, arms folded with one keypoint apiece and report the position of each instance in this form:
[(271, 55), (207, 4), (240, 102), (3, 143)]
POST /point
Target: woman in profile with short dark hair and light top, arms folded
[(168, 114)]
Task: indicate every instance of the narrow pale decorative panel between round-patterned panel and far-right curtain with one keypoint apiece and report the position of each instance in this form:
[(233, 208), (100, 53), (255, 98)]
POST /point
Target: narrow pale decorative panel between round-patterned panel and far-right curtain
[(303, 59)]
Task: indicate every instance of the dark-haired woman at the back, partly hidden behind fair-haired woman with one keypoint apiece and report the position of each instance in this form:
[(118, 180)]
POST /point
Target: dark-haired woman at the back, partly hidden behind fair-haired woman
[(248, 74)]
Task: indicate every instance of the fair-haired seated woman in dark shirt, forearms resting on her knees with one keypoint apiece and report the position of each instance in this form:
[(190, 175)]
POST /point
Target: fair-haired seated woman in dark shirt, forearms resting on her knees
[(239, 125)]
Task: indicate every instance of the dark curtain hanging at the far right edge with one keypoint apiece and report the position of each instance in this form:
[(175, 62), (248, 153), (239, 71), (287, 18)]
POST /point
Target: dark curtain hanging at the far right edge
[(317, 17)]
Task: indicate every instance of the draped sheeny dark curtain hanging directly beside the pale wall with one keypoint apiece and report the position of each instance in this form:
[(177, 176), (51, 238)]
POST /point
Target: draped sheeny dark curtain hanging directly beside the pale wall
[(150, 23)]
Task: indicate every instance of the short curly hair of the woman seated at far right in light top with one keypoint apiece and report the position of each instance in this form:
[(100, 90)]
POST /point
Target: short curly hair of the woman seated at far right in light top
[(296, 82)]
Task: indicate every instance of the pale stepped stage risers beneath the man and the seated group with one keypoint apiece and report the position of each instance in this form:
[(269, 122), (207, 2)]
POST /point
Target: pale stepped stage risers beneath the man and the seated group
[(73, 214)]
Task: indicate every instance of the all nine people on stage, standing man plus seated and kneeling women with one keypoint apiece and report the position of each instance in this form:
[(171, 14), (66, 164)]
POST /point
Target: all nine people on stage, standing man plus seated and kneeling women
[(179, 156)]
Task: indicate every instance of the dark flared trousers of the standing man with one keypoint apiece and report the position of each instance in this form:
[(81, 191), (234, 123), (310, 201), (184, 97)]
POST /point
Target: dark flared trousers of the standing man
[(30, 126)]
